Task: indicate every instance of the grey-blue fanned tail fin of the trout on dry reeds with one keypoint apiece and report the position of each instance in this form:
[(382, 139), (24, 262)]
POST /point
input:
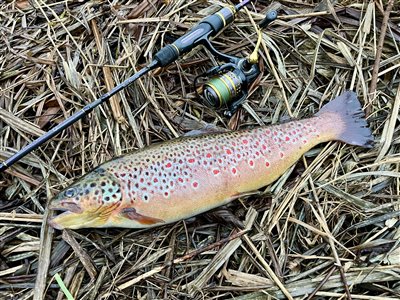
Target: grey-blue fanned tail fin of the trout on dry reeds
[(349, 120)]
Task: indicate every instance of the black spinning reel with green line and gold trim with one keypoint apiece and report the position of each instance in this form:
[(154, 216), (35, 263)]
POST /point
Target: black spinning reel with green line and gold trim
[(227, 85)]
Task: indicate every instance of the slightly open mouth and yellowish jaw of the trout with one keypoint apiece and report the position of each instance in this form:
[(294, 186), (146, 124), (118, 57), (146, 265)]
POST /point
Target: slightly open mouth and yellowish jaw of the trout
[(72, 216)]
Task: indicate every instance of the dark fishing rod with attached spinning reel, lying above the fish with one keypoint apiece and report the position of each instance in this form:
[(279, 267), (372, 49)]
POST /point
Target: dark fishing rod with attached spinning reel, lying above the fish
[(228, 86)]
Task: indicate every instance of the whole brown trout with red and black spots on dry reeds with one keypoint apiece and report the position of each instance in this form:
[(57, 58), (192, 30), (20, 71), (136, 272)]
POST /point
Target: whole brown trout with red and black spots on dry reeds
[(178, 179)]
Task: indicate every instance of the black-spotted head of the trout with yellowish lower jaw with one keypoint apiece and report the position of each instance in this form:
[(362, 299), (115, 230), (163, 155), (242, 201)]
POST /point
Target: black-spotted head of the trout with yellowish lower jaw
[(89, 202)]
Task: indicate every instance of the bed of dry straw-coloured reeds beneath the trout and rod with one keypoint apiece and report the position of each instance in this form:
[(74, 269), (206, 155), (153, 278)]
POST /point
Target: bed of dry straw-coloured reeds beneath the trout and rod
[(328, 228)]
